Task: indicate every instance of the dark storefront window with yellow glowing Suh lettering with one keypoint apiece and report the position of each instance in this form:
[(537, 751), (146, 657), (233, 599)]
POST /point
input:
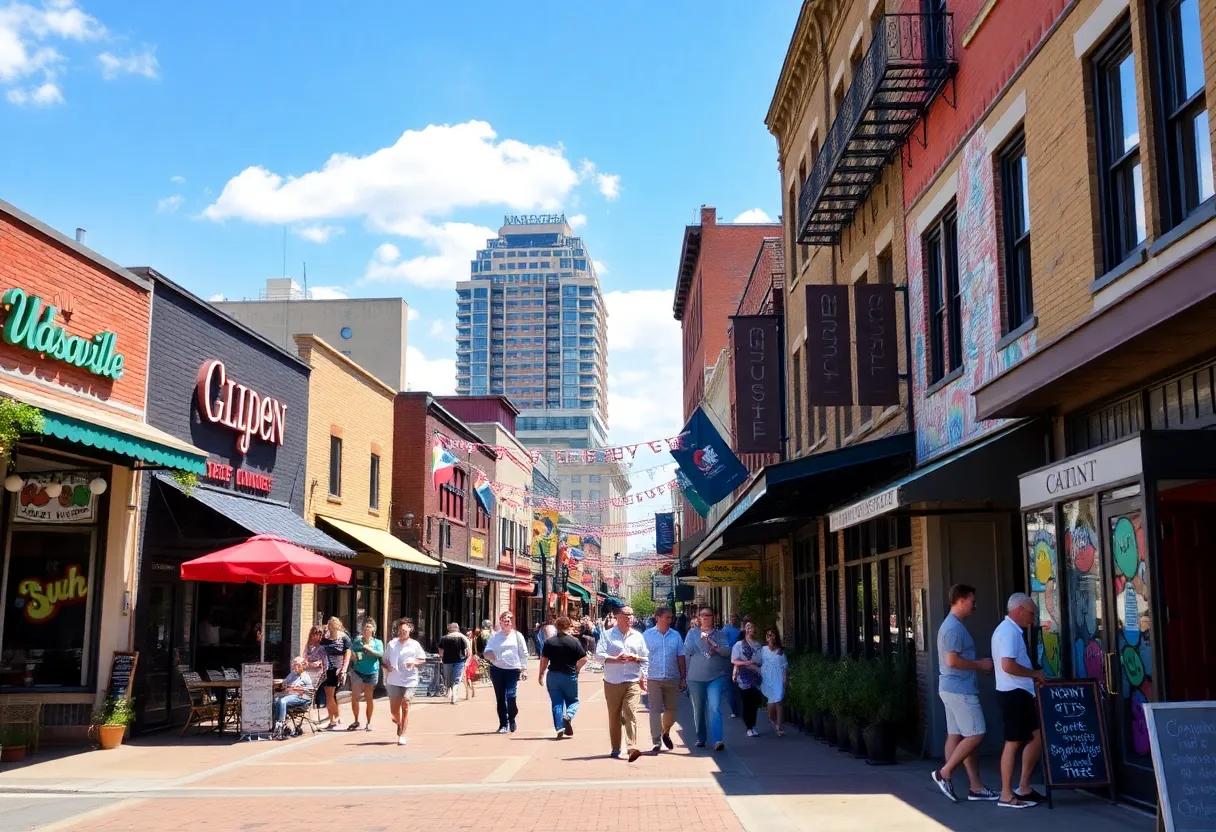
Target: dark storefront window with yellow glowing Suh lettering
[(48, 608)]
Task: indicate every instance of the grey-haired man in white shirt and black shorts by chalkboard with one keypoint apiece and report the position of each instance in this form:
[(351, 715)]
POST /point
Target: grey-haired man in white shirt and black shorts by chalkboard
[(1016, 694)]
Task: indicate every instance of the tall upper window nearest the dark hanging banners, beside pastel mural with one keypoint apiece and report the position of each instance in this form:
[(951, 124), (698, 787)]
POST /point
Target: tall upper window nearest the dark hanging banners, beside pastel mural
[(945, 302)]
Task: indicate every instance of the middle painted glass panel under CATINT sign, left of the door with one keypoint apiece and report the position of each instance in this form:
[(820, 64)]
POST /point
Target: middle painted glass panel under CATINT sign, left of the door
[(1088, 633)]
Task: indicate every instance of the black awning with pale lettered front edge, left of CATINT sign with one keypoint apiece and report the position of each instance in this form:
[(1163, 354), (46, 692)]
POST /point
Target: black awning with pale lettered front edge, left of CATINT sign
[(983, 476)]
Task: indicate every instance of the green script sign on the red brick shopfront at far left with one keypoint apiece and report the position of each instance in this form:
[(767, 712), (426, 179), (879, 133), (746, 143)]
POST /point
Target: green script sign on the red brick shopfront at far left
[(31, 325)]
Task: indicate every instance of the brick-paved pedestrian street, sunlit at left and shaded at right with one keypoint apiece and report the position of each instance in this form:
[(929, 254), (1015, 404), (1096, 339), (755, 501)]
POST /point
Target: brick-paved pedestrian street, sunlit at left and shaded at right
[(457, 774)]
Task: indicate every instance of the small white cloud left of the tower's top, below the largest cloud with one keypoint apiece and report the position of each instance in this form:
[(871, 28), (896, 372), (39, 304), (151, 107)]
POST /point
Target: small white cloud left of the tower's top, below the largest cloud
[(455, 244)]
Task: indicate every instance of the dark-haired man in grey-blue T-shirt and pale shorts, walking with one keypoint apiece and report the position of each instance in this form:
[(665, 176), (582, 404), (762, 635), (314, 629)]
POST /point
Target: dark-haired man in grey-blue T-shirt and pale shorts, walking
[(960, 695)]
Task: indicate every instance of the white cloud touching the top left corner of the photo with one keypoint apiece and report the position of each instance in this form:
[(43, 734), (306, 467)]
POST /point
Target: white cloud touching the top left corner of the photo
[(29, 40)]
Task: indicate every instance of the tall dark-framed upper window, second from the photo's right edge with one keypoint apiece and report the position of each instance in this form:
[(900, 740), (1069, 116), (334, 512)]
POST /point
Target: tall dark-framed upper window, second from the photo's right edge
[(1118, 132)]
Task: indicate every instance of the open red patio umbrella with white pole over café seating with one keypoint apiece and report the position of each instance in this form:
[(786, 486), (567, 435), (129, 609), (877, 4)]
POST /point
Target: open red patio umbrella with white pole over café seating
[(266, 560)]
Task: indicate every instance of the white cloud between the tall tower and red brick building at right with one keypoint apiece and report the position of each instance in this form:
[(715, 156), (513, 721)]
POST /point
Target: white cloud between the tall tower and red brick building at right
[(645, 380)]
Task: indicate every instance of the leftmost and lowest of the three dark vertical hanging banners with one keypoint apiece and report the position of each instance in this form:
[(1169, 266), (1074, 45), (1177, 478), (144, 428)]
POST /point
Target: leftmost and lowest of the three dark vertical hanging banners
[(757, 353)]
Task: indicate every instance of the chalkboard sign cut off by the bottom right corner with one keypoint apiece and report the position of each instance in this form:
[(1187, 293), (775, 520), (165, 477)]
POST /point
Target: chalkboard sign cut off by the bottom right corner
[(1183, 737)]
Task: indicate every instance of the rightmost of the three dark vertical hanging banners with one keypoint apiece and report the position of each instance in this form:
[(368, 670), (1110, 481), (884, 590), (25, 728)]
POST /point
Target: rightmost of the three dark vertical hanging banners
[(879, 355)]
